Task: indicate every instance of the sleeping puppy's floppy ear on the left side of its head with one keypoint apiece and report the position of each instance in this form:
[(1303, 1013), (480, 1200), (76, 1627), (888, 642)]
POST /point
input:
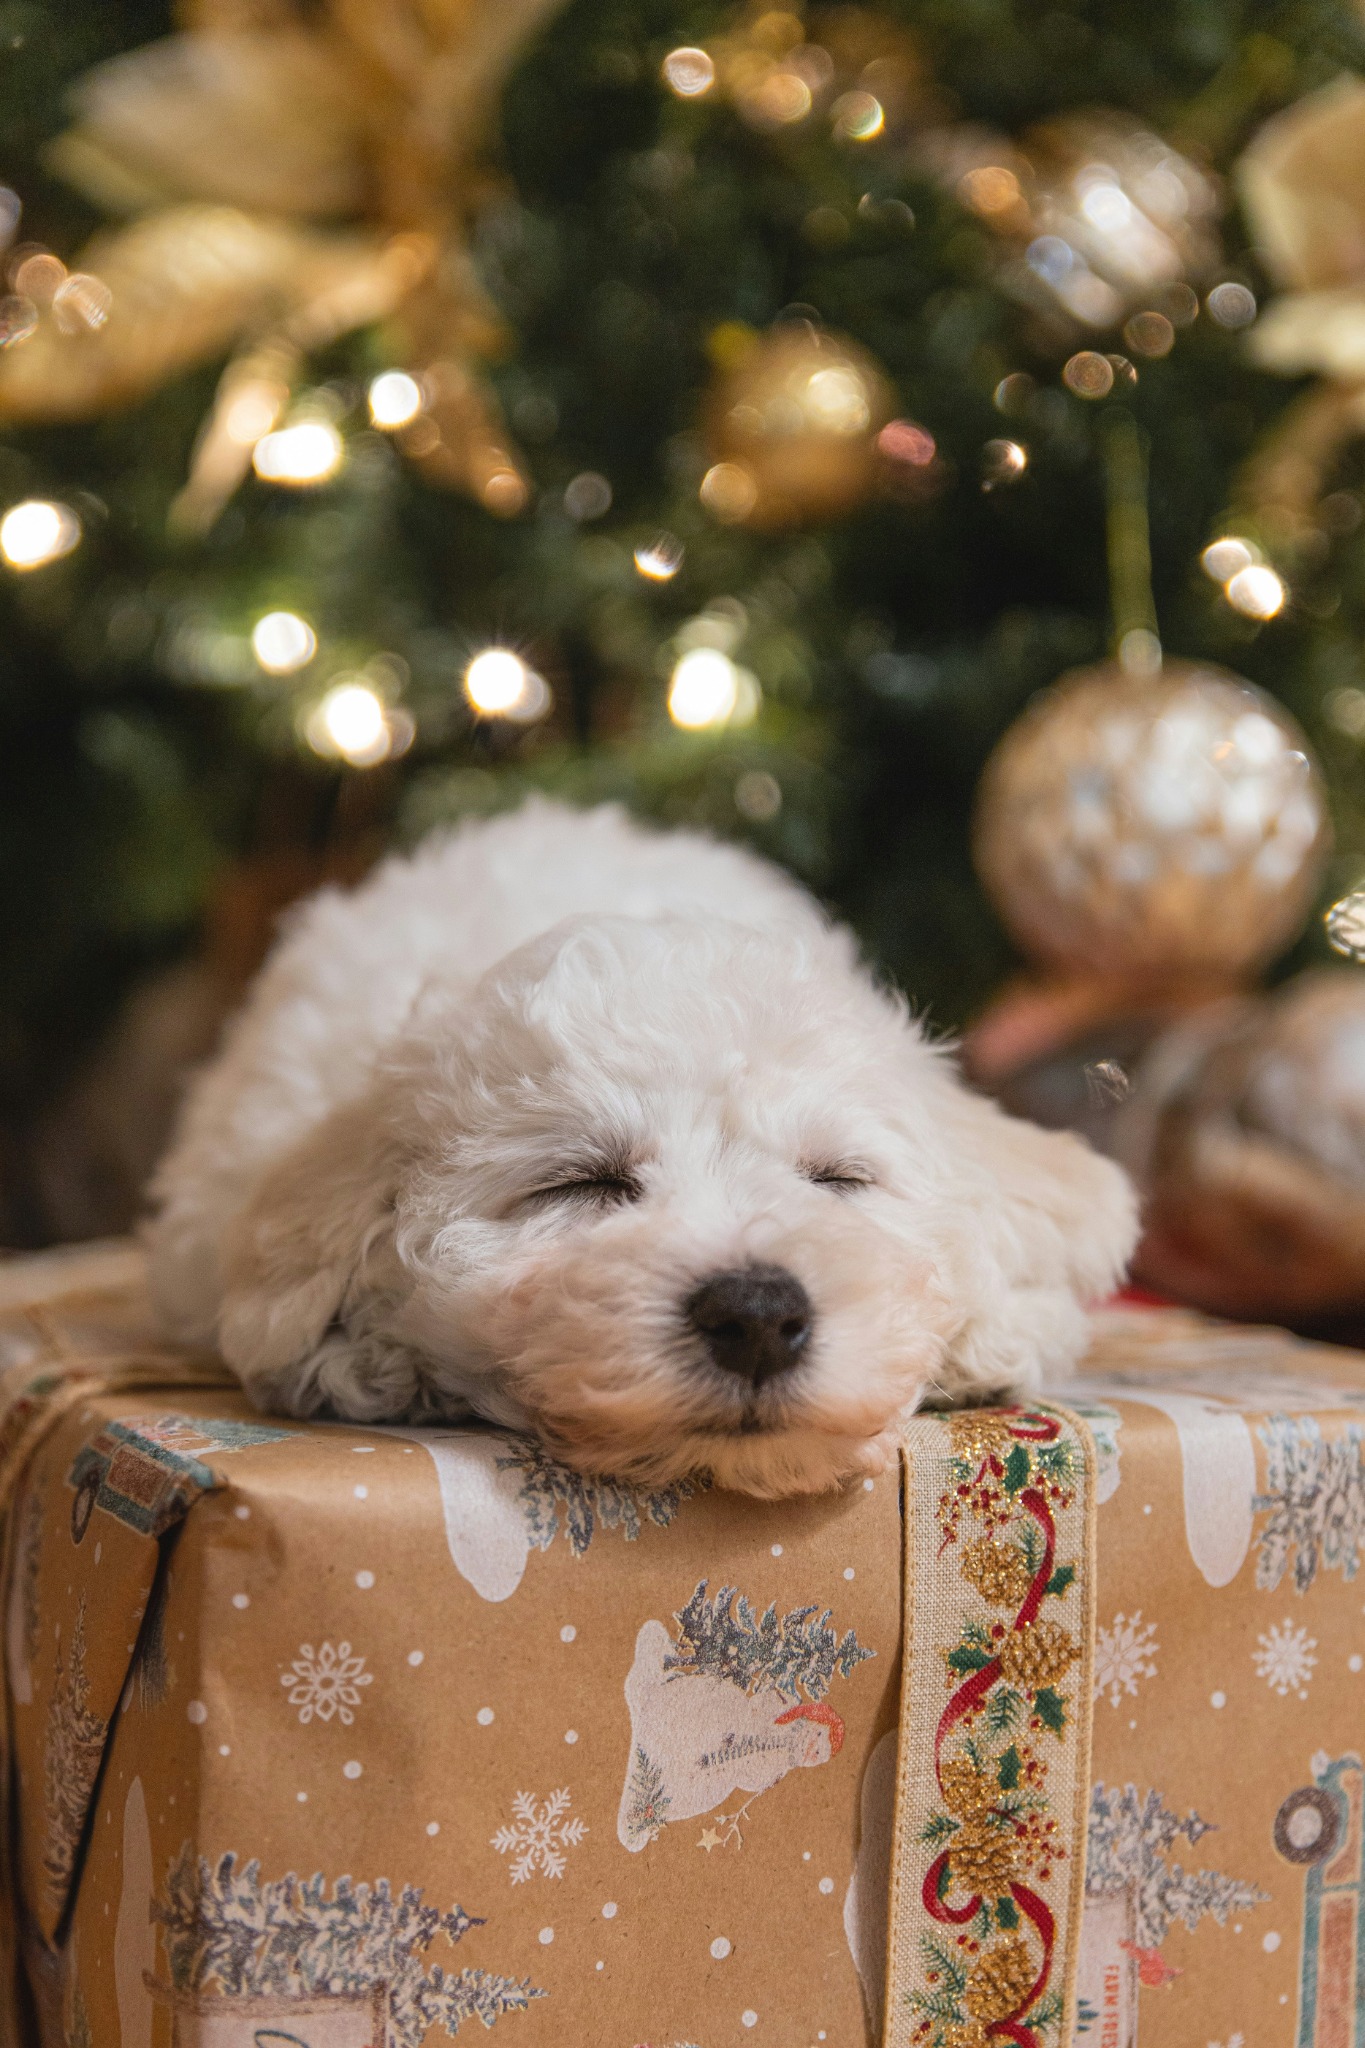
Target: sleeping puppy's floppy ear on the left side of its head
[(312, 1242)]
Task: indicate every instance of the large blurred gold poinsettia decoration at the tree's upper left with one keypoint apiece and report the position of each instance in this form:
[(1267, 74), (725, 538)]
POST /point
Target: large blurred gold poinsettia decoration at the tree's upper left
[(288, 175)]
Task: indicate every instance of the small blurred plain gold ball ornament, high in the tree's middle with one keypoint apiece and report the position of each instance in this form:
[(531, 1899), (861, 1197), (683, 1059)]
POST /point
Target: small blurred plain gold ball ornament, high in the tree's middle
[(797, 417)]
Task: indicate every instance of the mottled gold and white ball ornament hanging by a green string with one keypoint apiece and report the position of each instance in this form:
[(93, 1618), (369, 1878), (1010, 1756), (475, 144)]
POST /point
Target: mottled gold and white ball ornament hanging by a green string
[(1163, 826)]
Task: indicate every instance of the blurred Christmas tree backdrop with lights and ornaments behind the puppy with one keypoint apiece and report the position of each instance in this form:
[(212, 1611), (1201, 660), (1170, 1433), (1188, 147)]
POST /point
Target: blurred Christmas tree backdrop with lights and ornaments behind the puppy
[(746, 415)]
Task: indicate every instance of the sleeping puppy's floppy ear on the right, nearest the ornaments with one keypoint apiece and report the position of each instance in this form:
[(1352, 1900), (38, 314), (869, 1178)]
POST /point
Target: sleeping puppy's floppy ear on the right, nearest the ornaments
[(1055, 1230)]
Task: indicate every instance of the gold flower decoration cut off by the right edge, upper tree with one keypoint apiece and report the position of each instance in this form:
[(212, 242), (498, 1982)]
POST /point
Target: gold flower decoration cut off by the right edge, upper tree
[(1303, 183)]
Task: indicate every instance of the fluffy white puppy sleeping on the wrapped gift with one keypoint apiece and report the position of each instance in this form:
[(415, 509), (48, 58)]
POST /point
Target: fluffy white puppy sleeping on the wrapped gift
[(605, 1134)]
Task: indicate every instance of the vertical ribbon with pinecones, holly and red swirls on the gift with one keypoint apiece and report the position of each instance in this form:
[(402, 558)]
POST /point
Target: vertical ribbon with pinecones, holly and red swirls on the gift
[(992, 1789)]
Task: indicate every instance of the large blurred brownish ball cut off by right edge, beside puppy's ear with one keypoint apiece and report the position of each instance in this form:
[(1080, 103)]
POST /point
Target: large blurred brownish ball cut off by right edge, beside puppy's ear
[(1247, 1136)]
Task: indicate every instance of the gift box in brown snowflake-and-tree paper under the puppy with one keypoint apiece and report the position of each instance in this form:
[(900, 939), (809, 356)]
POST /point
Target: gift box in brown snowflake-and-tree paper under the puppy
[(335, 1738)]
